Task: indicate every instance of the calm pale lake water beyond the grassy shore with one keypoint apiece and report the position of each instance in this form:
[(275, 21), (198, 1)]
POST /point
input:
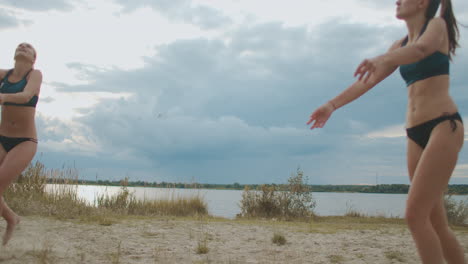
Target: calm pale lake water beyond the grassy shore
[(225, 203)]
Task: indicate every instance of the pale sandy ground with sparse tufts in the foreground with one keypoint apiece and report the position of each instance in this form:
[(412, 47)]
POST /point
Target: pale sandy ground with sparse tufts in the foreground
[(146, 240)]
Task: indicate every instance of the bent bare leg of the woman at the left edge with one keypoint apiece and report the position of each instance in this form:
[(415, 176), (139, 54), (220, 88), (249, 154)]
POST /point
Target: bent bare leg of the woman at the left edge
[(13, 163)]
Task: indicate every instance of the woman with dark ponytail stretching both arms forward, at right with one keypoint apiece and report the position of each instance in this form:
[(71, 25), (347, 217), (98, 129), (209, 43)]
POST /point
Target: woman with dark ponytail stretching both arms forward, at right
[(435, 129)]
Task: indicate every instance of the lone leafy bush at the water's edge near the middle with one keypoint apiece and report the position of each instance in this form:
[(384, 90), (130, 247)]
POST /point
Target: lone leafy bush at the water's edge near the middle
[(290, 201)]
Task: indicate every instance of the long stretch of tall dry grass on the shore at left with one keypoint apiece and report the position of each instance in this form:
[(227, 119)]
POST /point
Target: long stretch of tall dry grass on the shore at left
[(43, 192)]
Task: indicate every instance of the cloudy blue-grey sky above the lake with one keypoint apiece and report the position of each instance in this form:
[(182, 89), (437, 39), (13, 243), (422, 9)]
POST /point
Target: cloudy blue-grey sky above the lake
[(217, 91)]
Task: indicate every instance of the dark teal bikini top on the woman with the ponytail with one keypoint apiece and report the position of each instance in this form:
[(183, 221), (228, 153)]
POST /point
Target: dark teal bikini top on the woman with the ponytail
[(435, 64)]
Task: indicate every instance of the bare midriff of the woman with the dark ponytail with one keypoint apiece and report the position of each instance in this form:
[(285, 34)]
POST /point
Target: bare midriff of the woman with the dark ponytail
[(429, 99)]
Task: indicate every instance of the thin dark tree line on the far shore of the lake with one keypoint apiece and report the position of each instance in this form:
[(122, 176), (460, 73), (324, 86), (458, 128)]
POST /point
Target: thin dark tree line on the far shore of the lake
[(453, 189)]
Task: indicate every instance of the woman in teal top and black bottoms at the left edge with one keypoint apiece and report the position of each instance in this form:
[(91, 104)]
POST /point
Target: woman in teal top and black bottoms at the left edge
[(19, 91)]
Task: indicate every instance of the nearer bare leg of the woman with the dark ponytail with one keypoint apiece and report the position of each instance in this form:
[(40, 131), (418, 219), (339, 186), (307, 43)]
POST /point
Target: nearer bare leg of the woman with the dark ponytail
[(429, 181)]
